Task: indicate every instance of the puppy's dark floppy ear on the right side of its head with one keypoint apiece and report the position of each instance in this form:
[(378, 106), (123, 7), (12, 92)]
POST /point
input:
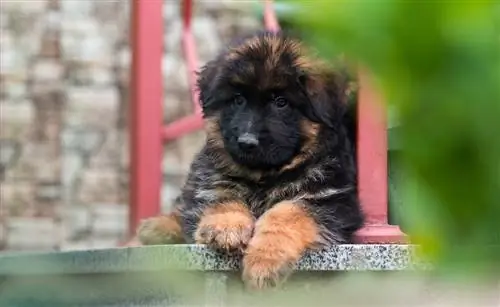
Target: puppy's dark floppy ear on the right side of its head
[(327, 95)]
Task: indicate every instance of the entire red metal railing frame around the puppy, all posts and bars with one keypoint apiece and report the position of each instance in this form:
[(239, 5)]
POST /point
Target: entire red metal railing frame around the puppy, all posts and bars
[(147, 133)]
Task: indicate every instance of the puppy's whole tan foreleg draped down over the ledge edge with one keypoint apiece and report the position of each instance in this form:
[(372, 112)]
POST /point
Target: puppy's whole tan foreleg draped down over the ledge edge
[(280, 238)]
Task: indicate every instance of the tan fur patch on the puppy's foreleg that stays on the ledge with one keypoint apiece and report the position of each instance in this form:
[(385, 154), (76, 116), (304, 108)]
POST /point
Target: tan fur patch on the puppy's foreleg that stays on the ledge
[(227, 226)]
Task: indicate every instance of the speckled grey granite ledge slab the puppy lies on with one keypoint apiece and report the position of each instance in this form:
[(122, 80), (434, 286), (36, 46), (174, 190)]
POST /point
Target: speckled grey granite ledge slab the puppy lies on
[(349, 257)]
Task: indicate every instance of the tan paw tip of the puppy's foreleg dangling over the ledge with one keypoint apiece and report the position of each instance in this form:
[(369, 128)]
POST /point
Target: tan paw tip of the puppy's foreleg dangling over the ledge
[(267, 262)]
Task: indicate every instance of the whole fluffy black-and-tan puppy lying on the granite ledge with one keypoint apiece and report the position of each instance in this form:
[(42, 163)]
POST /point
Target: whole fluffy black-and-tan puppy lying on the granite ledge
[(277, 175)]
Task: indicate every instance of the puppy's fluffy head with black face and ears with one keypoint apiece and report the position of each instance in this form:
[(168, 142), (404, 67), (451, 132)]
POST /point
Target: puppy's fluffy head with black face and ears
[(265, 101)]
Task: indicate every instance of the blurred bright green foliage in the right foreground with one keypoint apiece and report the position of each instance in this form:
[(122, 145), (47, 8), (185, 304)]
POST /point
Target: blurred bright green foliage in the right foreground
[(438, 64)]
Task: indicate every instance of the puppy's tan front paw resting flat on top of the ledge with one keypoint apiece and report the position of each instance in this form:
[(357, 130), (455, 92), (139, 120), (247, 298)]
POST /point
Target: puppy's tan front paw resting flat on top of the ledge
[(227, 231)]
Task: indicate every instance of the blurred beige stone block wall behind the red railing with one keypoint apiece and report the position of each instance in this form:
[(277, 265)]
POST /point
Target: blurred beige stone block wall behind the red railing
[(63, 111)]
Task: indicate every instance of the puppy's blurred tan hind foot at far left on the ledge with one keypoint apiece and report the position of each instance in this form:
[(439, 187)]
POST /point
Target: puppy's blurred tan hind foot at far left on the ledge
[(162, 229)]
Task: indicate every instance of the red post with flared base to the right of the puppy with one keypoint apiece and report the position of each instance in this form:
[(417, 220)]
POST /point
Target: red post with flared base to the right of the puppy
[(372, 167)]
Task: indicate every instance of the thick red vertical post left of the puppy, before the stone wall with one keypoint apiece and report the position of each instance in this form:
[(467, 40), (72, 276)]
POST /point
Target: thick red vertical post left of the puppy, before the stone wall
[(145, 110)]
